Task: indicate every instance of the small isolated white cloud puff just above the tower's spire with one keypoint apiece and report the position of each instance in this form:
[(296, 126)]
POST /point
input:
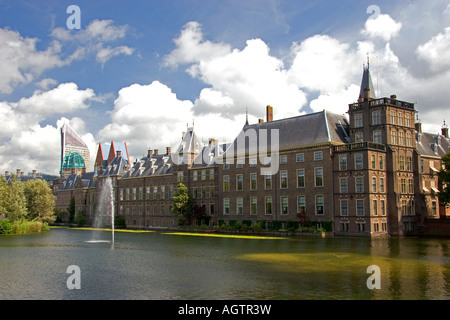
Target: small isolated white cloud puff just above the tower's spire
[(383, 27)]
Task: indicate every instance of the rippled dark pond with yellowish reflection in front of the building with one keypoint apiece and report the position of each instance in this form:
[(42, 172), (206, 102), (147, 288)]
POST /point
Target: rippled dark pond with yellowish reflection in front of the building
[(167, 265)]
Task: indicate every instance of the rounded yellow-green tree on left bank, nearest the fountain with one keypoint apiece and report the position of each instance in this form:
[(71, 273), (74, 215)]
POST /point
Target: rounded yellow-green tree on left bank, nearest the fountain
[(40, 201)]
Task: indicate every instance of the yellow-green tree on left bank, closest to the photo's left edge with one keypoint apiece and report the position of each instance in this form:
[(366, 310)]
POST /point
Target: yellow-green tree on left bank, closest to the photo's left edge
[(15, 207)]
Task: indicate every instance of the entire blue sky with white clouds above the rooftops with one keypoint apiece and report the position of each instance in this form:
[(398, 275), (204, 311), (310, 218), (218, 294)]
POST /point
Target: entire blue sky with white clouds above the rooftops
[(141, 72)]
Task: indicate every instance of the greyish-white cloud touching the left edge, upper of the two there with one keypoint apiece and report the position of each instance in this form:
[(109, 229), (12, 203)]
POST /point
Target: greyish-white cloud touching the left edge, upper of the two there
[(20, 60)]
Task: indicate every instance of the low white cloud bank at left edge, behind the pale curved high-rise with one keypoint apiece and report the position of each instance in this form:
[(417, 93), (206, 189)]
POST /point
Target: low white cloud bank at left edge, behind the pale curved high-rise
[(29, 144)]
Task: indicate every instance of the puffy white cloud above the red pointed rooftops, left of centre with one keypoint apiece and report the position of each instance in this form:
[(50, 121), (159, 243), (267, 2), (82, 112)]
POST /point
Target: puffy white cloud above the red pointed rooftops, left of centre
[(147, 116)]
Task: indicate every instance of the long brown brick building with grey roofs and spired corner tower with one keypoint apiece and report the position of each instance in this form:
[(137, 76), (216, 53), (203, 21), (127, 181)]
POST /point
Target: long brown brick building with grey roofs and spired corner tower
[(371, 173)]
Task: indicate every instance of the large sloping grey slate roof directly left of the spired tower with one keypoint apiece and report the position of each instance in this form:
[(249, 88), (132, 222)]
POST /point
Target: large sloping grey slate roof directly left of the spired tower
[(310, 129)]
